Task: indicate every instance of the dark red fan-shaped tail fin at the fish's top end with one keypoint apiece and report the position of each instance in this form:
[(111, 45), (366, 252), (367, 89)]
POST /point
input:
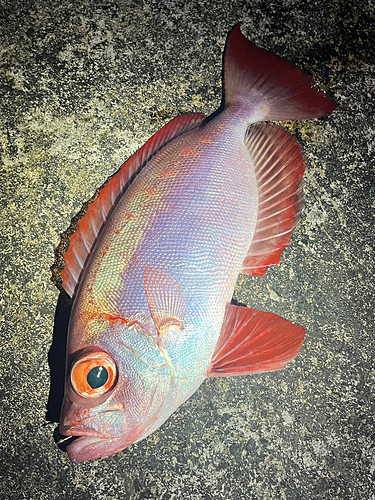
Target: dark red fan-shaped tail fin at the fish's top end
[(270, 86)]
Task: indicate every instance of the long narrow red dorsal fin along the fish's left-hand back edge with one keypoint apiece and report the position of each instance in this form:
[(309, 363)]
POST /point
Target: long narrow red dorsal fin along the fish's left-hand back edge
[(83, 240)]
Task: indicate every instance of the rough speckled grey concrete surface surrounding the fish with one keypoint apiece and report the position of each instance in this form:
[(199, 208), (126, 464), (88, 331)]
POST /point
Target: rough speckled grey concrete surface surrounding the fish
[(83, 85)]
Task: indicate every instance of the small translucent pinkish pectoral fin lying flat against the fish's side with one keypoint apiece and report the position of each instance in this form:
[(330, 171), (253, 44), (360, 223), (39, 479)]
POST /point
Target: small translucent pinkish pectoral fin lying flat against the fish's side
[(165, 298)]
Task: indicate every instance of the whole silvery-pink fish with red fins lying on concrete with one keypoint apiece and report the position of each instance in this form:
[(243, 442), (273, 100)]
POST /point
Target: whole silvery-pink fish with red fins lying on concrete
[(152, 264)]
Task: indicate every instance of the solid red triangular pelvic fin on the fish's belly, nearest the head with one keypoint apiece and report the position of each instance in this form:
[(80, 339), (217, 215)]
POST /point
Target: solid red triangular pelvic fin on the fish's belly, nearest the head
[(254, 342)]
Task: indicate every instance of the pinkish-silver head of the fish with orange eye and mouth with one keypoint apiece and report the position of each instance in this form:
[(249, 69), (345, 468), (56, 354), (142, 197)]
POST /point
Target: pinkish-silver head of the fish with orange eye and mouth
[(116, 388)]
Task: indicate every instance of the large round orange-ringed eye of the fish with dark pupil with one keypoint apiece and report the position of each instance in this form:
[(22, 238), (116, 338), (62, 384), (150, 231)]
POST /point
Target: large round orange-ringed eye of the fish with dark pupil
[(93, 375)]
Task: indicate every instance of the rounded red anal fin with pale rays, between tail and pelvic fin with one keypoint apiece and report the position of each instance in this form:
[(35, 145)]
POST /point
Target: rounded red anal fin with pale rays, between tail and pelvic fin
[(279, 167)]
